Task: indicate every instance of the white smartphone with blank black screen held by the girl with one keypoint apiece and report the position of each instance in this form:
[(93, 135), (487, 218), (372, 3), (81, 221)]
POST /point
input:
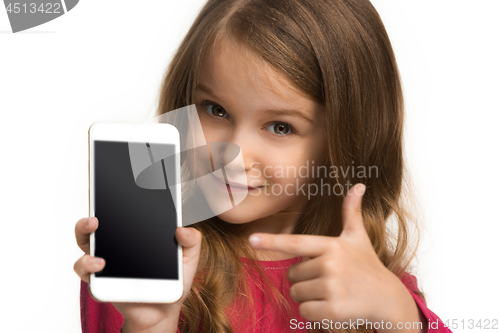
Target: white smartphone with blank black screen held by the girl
[(135, 193)]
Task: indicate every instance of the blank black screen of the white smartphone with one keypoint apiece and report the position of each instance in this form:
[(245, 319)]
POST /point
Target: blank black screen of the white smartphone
[(136, 233)]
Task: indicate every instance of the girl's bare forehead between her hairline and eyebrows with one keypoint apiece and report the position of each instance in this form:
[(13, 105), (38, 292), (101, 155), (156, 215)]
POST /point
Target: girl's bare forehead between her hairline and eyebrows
[(231, 66)]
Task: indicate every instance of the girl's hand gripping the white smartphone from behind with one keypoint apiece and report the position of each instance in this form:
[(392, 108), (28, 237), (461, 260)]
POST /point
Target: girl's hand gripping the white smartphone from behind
[(139, 316)]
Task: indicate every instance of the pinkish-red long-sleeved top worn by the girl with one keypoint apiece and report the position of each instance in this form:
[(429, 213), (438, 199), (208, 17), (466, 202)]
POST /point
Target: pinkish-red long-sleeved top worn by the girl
[(104, 318)]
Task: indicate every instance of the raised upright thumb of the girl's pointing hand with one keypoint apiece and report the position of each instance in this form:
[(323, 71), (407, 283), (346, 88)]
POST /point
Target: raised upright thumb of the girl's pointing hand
[(352, 219)]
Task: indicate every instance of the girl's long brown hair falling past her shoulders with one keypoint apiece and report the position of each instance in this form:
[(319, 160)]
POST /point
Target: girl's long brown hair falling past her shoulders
[(339, 54)]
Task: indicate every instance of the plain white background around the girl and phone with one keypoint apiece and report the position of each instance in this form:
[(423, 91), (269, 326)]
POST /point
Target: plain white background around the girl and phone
[(104, 60)]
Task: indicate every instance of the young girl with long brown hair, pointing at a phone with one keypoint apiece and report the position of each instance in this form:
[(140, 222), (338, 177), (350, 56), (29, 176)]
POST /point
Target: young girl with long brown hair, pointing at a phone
[(296, 84)]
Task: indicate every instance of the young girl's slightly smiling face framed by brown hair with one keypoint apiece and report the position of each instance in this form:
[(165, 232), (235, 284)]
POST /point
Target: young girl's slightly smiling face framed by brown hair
[(241, 99)]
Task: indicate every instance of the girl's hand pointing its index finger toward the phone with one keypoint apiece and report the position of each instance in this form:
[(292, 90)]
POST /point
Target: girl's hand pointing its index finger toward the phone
[(344, 280)]
